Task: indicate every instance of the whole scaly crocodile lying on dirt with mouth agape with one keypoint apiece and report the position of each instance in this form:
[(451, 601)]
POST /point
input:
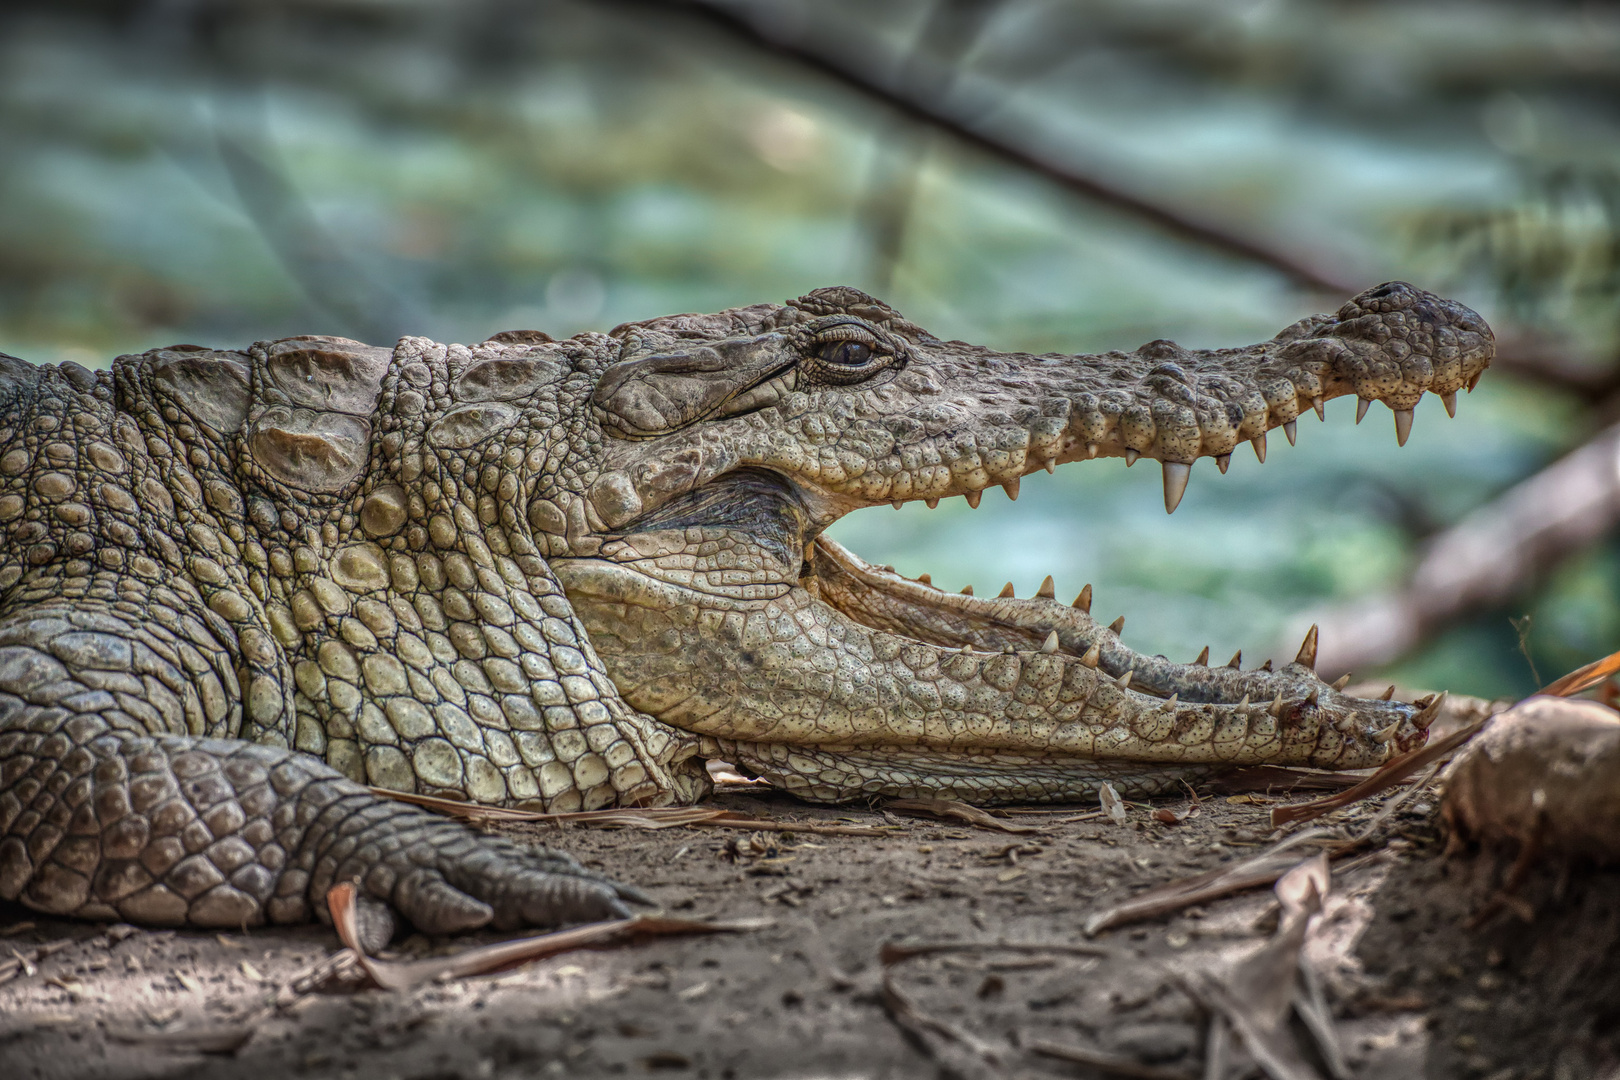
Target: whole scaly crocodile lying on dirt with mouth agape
[(245, 593)]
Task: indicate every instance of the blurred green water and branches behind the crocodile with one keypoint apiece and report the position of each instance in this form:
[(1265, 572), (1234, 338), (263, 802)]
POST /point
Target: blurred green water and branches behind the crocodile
[(1067, 176)]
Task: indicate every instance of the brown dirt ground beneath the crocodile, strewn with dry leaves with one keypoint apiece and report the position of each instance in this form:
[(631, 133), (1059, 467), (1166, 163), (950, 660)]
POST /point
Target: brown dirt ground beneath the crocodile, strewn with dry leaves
[(1415, 993)]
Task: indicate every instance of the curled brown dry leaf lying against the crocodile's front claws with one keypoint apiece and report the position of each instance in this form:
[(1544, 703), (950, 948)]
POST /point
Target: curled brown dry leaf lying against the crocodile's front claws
[(485, 959)]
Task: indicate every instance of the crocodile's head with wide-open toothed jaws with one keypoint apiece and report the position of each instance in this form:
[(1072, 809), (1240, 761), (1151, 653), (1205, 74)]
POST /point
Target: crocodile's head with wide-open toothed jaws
[(722, 448)]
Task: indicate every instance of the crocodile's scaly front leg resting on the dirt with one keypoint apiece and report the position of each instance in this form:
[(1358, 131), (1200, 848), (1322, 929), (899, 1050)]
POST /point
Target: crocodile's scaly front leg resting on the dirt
[(104, 815)]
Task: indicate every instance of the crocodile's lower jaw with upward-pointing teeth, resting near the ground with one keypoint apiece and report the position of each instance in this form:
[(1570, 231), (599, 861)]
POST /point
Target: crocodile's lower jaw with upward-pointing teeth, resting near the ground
[(856, 684)]
